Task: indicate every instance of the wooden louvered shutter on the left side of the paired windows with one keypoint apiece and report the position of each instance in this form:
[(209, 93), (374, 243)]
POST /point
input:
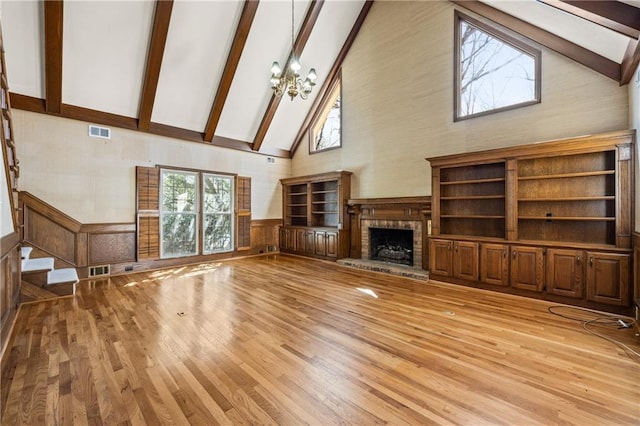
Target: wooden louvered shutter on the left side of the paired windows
[(148, 212)]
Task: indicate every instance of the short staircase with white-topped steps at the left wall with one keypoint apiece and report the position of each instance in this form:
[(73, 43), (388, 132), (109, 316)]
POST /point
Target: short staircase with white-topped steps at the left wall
[(41, 280)]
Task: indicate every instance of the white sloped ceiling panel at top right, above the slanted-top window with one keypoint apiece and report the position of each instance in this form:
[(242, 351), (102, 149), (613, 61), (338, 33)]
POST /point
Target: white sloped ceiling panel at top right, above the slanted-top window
[(598, 39)]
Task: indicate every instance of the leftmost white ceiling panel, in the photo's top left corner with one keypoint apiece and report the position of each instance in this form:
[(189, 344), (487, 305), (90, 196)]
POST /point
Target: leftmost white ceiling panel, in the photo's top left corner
[(24, 46)]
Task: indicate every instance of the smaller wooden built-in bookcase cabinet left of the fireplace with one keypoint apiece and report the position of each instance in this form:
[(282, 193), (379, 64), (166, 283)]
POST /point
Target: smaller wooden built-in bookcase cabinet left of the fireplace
[(315, 210)]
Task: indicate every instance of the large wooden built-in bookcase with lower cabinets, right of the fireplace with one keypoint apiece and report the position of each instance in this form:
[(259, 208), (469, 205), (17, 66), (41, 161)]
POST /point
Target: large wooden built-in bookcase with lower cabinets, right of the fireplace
[(552, 218)]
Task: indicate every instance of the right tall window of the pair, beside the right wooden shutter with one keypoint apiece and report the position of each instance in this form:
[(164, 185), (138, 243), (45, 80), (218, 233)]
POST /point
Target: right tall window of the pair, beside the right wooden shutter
[(218, 213)]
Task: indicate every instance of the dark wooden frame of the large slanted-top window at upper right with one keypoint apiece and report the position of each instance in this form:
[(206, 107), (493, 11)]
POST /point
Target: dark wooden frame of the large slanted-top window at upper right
[(506, 36)]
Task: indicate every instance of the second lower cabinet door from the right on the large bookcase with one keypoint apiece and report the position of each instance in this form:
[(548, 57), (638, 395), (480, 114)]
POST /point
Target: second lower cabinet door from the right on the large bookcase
[(565, 272)]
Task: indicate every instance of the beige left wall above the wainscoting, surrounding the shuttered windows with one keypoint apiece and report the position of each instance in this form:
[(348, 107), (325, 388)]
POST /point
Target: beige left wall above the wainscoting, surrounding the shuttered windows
[(93, 180)]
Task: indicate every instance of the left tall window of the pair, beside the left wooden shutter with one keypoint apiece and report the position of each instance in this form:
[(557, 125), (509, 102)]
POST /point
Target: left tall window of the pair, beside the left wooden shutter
[(178, 213)]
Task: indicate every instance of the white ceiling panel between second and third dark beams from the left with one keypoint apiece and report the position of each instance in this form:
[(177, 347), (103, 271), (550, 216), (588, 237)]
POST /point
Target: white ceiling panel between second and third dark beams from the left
[(198, 43)]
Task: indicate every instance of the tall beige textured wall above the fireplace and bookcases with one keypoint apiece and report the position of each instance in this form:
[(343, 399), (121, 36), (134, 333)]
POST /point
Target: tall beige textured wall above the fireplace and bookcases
[(398, 104)]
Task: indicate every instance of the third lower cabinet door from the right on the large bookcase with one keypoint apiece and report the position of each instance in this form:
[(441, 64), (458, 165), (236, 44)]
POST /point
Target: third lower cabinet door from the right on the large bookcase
[(527, 268)]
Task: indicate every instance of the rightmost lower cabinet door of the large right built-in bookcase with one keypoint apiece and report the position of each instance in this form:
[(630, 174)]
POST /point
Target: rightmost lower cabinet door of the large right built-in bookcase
[(608, 278)]
